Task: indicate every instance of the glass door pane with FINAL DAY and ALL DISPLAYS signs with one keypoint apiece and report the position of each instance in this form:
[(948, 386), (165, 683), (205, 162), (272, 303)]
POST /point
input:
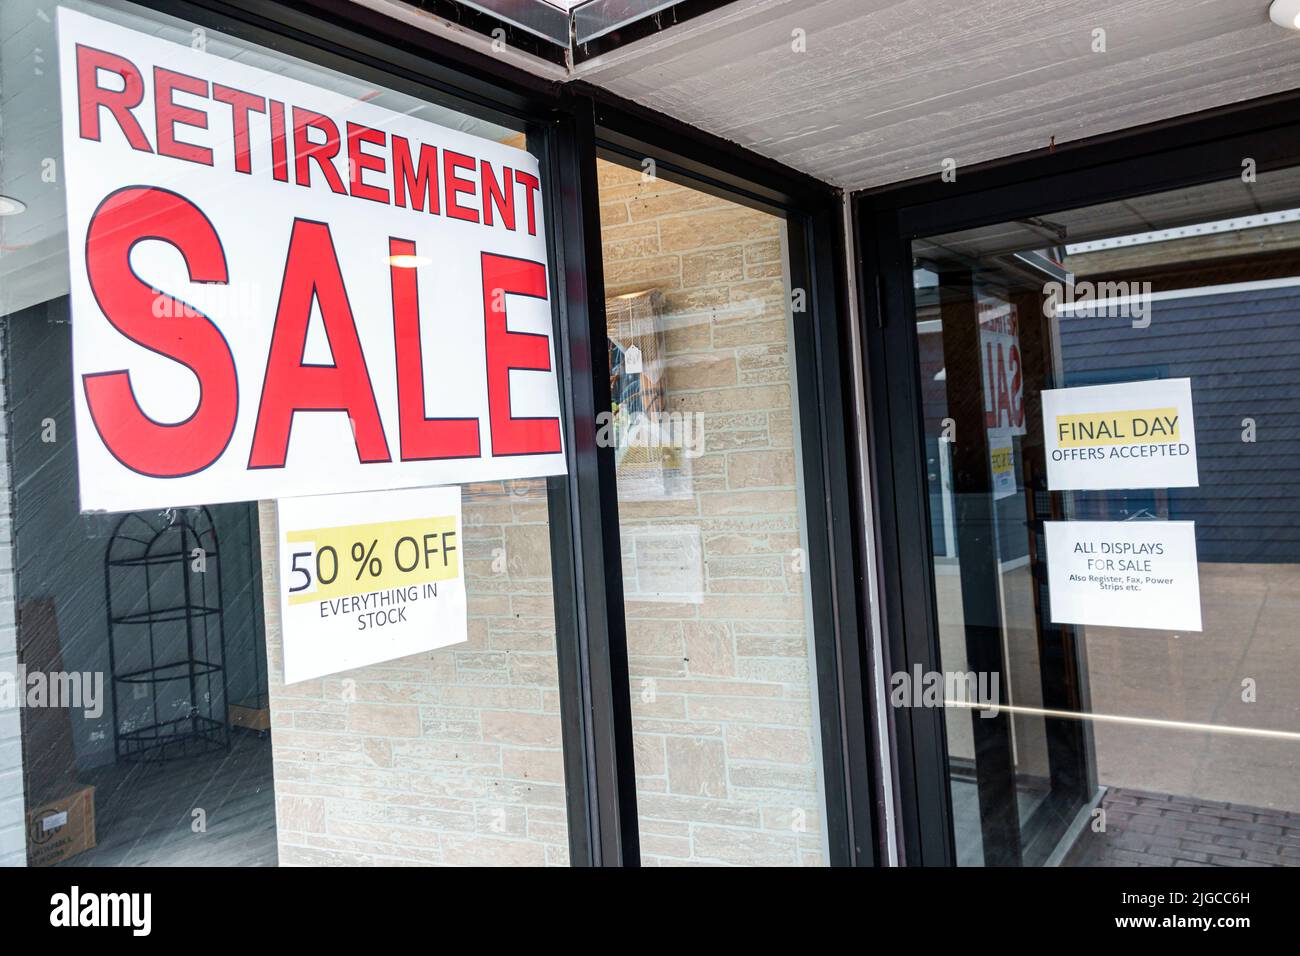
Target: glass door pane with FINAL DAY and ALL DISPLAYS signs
[(1111, 412)]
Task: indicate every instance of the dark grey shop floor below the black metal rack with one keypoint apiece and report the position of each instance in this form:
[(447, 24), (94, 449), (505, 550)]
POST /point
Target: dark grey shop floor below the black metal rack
[(145, 815)]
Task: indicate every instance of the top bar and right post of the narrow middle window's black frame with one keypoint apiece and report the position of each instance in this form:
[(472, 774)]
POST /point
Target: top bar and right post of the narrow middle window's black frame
[(829, 447)]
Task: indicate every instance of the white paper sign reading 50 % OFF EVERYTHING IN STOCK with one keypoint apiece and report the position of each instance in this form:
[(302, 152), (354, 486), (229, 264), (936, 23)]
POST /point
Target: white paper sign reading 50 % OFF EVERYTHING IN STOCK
[(370, 578)]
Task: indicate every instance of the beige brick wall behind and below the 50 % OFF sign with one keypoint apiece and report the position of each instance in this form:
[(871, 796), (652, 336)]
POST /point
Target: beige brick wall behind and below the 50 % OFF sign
[(448, 758)]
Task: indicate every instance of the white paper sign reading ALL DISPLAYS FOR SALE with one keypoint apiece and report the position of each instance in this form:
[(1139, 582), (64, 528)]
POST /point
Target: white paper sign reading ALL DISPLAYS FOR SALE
[(1125, 574)]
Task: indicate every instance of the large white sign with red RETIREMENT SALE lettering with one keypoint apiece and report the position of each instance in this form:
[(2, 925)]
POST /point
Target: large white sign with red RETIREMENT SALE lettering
[(283, 291)]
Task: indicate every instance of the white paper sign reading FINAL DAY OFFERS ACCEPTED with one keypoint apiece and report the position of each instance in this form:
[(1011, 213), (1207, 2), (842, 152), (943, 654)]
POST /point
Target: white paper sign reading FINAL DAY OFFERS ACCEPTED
[(1130, 435)]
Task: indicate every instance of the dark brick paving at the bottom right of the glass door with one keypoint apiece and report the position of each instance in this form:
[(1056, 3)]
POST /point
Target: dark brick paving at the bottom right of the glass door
[(1160, 830)]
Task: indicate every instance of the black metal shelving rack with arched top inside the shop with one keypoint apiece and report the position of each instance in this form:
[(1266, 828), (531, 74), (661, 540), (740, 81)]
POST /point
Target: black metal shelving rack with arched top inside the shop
[(145, 548)]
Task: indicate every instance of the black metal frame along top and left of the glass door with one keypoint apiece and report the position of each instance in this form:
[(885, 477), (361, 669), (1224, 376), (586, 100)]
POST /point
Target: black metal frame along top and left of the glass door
[(1199, 149)]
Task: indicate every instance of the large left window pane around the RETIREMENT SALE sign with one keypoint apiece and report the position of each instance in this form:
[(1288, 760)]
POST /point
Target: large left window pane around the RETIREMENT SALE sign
[(187, 746)]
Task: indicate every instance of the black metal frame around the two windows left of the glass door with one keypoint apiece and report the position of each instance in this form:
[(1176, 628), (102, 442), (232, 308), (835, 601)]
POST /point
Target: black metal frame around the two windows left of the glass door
[(566, 127)]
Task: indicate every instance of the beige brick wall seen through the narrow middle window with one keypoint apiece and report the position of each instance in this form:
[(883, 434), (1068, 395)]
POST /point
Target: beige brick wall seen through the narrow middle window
[(727, 755)]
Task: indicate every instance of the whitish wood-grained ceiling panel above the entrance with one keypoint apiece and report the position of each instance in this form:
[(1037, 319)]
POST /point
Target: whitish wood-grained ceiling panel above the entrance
[(886, 90)]
